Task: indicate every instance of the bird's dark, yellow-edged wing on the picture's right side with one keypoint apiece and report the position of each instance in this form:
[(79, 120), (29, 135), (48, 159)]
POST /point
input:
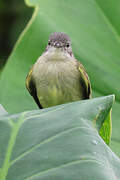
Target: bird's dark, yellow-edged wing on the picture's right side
[(85, 81)]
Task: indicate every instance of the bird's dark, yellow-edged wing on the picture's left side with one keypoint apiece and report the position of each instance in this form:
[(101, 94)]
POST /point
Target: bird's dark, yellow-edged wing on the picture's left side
[(30, 85)]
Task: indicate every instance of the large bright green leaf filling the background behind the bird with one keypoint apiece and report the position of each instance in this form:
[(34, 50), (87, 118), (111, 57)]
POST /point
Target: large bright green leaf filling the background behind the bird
[(94, 30)]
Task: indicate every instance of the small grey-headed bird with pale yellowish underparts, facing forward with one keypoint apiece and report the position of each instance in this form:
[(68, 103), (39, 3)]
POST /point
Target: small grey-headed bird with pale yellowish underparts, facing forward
[(57, 77)]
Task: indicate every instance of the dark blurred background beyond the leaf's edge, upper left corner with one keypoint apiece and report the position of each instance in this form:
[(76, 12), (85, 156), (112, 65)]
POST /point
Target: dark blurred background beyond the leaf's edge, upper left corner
[(14, 16)]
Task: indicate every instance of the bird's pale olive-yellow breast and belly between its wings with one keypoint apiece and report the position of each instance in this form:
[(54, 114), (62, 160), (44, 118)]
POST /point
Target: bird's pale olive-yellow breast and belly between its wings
[(57, 81)]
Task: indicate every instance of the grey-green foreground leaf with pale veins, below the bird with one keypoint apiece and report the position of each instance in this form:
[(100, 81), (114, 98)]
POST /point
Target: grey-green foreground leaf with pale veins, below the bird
[(57, 143)]
